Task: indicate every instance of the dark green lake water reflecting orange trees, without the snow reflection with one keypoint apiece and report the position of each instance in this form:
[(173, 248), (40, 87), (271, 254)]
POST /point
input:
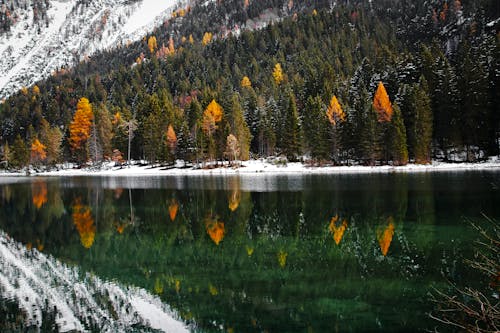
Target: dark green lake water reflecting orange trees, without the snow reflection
[(262, 253)]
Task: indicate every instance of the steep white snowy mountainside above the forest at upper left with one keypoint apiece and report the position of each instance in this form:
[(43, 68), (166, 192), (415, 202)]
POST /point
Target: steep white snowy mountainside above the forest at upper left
[(72, 30)]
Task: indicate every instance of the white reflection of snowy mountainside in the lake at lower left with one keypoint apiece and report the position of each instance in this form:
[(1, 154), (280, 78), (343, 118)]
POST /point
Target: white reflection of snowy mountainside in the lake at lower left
[(31, 278)]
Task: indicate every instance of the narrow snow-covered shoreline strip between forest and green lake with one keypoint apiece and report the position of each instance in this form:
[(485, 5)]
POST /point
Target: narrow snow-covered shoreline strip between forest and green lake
[(254, 167)]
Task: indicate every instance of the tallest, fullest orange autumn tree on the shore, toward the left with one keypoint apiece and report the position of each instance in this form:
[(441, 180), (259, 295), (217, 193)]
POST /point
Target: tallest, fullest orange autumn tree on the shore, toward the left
[(80, 128)]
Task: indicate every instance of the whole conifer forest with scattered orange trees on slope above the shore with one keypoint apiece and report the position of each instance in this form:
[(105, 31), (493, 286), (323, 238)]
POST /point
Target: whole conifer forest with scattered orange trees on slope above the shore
[(349, 82)]
